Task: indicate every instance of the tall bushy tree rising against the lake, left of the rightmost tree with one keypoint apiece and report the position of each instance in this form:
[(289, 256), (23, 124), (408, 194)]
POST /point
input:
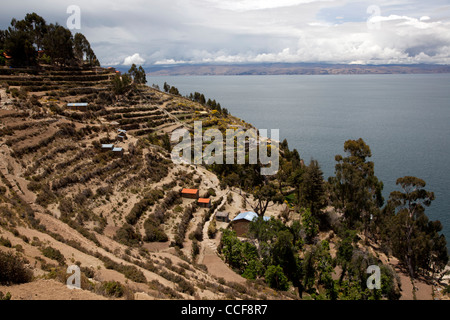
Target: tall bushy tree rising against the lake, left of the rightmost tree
[(355, 189)]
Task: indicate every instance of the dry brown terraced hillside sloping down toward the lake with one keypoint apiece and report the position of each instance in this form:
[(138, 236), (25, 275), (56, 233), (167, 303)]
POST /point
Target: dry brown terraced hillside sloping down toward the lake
[(65, 200)]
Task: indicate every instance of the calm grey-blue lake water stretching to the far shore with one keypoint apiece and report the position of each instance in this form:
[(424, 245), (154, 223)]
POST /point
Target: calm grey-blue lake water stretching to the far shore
[(405, 119)]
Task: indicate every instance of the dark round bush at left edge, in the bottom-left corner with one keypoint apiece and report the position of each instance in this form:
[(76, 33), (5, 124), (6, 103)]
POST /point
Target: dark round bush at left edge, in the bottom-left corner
[(13, 269)]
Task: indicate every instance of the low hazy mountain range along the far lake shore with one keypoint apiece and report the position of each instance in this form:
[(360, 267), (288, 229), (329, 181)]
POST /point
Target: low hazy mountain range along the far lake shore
[(293, 69)]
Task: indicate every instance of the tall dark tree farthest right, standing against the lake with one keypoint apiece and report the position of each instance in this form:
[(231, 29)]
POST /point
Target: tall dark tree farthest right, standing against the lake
[(416, 241)]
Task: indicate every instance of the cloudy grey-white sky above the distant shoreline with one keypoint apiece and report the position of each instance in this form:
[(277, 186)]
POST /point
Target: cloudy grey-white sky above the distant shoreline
[(250, 31)]
